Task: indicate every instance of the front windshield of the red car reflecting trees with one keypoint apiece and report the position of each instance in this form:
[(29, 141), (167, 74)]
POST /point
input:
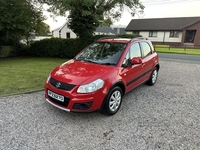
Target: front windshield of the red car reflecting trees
[(105, 53)]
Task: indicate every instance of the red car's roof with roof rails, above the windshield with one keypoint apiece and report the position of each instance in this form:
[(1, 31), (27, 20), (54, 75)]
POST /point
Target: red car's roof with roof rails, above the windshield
[(120, 40)]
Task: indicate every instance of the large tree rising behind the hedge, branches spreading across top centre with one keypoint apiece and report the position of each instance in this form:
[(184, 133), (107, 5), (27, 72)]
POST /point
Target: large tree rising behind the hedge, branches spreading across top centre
[(86, 15)]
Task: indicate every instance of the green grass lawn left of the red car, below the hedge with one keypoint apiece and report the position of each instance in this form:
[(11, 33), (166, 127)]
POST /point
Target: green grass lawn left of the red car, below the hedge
[(19, 75)]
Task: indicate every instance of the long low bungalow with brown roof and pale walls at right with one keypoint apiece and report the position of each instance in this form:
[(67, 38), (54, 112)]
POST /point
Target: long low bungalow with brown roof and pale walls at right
[(174, 31)]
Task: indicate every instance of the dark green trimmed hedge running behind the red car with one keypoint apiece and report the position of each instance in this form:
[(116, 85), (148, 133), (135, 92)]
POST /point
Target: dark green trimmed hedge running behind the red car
[(63, 48)]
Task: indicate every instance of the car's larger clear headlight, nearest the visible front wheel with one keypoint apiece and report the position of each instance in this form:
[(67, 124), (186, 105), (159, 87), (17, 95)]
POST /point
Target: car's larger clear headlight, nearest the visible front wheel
[(91, 87)]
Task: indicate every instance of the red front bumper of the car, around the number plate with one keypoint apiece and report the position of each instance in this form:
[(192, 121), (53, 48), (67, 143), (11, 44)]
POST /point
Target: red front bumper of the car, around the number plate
[(75, 102)]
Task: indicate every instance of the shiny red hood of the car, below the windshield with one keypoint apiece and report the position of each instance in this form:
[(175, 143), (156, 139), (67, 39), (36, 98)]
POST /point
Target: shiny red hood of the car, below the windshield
[(79, 72)]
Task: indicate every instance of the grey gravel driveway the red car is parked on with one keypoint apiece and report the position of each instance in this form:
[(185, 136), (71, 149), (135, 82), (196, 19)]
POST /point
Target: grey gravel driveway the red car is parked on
[(163, 117)]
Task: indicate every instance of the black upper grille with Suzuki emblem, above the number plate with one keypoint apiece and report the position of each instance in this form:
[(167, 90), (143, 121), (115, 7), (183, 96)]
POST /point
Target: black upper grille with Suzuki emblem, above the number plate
[(61, 85)]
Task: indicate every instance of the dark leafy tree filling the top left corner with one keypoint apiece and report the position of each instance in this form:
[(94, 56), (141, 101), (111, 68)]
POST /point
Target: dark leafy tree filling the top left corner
[(19, 18)]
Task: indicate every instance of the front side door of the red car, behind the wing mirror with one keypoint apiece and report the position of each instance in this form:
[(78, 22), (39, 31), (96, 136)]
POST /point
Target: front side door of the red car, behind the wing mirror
[(132, 74)]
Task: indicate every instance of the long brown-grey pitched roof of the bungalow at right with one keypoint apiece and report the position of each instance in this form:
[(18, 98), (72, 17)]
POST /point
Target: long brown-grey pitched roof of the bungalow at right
[(163, 24)]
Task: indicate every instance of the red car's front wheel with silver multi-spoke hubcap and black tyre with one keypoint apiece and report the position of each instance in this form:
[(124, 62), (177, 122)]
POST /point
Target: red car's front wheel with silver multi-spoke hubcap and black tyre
[(113, 101)]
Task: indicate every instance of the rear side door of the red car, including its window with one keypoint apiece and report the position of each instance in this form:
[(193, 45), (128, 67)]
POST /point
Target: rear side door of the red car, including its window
[(147, 59)]
